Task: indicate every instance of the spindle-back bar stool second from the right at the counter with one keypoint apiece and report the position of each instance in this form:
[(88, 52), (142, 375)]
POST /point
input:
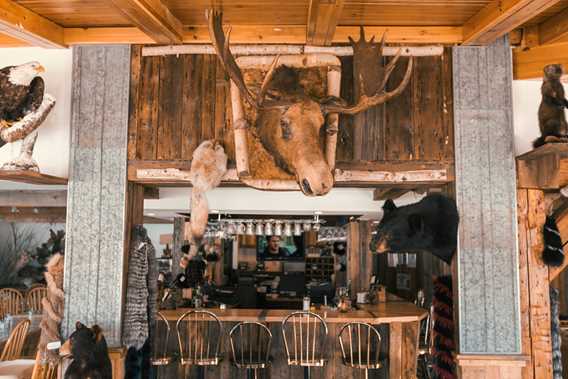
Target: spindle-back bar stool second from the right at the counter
[(304, 336)]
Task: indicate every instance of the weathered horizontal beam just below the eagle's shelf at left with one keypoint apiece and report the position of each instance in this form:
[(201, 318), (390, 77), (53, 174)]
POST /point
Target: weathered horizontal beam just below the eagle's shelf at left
[(31, 198)]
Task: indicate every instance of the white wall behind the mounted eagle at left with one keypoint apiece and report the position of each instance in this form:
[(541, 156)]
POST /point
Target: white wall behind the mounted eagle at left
[(52, 147)]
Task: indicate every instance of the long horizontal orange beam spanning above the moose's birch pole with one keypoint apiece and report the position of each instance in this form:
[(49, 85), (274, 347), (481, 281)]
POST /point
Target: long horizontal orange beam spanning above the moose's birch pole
[(269, 34)]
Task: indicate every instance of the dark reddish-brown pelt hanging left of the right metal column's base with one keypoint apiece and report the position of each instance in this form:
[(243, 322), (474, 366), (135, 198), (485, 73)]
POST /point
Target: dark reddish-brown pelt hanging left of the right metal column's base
[(443, 331)]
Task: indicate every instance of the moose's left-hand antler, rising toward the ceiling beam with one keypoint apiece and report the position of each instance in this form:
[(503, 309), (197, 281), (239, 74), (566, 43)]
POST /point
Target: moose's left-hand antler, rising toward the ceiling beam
[(221, 45)]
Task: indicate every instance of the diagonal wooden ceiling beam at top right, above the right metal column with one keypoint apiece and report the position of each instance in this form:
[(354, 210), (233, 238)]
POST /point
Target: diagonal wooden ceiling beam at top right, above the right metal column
[(500, 17)]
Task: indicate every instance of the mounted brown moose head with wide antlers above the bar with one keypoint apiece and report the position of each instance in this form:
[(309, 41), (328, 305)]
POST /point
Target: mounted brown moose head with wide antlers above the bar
[(289, 121)]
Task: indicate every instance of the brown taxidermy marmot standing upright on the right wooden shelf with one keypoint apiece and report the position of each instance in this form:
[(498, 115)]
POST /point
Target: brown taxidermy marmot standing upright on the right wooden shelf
[(551, 116)]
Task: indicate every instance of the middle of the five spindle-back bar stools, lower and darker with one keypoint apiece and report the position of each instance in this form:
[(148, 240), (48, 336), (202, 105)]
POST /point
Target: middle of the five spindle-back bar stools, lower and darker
[(250, 345)]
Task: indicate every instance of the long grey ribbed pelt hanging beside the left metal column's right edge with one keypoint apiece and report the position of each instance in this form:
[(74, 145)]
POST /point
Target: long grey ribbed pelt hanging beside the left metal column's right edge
[(141, 295)]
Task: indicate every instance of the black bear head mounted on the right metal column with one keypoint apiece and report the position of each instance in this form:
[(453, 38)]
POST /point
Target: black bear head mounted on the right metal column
[(430, 225)]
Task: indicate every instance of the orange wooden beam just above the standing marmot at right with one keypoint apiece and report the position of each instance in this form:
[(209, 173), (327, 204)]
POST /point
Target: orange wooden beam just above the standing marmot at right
[(528, 64)]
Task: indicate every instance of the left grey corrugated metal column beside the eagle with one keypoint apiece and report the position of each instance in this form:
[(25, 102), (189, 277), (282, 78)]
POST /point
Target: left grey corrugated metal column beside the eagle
[(96, 201)]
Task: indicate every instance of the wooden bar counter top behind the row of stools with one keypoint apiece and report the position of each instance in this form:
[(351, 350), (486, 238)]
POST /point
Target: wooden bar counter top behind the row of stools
[(382, 313)]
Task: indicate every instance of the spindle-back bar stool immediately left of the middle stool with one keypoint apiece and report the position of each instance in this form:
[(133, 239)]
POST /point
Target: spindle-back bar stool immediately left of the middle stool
[(199, 336)]
